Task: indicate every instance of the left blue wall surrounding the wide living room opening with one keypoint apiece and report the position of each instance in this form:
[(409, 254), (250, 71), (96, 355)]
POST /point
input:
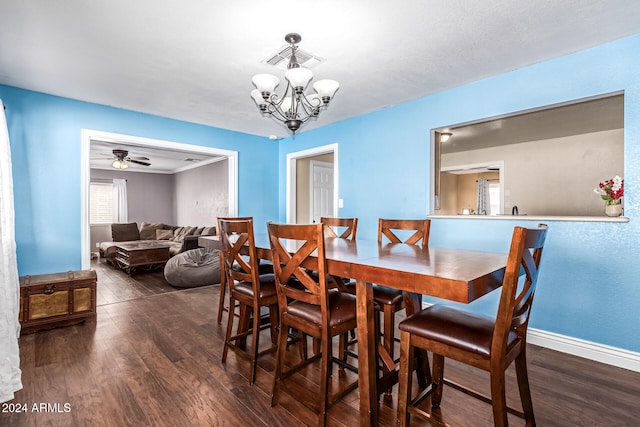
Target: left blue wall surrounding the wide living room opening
[(45, 134)]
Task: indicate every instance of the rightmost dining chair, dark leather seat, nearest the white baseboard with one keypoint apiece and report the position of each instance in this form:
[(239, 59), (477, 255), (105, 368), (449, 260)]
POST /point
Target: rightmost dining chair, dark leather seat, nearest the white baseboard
[(485, 342)]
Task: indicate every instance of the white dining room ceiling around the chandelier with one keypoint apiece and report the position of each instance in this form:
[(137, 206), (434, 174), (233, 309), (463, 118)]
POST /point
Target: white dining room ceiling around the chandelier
[(193, 60)]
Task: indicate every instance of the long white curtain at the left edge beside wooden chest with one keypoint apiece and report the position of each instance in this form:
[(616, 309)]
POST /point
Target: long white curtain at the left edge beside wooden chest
[(10, 374)]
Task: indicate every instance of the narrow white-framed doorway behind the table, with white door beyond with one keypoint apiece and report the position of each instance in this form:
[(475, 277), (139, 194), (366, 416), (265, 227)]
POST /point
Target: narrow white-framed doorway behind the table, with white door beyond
[(302, 200)]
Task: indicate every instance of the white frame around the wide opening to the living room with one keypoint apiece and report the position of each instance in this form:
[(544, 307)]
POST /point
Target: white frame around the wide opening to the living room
[(87, 135)]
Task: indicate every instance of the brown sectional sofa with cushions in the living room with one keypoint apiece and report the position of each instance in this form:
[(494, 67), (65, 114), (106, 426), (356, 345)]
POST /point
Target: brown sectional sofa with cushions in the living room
[(180, 238)]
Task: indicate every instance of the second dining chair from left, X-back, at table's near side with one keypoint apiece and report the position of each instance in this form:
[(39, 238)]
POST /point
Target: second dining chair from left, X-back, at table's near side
[(307, 303)]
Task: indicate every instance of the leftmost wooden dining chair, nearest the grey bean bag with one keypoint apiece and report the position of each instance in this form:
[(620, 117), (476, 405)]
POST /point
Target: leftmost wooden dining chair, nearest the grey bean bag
[(249, 288)]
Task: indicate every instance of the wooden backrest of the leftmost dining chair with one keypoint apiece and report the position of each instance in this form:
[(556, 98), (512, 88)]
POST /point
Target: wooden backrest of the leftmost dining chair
[(239, 250)]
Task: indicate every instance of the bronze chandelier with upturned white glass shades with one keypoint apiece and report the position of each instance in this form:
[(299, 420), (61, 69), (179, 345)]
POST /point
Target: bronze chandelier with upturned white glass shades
[(294, 107)]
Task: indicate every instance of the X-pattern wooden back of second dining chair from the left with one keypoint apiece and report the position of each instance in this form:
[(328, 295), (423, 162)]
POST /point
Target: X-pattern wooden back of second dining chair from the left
[(299, 264)]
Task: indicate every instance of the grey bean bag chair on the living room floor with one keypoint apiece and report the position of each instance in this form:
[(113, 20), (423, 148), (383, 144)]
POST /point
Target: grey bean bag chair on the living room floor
[(192, 268)]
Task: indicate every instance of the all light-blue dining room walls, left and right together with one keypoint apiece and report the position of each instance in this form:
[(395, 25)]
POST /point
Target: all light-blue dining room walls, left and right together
[(588, 289)]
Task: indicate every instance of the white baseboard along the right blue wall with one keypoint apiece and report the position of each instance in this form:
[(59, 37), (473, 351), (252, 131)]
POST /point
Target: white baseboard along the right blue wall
[(589, 350)]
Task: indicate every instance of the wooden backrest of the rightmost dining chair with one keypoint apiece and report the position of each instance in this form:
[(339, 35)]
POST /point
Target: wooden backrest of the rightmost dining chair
[(515, 301)]
